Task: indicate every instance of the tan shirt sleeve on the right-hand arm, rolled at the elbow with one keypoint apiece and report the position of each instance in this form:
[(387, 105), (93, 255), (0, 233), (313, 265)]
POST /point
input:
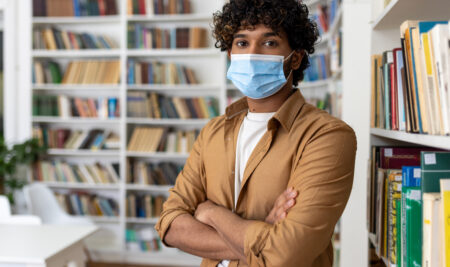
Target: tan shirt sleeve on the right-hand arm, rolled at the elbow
[(323, 177)]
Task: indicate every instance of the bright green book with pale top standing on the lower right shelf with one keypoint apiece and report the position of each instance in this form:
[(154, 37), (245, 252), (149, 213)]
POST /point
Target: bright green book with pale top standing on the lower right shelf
[(413, 210)]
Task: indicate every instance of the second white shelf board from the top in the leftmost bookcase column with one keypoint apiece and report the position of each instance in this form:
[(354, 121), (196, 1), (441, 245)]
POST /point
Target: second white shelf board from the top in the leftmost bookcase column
[(65, 53)]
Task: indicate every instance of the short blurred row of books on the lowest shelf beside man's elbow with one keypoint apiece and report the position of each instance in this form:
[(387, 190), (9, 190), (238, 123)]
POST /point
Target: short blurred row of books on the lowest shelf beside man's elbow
[(142, 239)]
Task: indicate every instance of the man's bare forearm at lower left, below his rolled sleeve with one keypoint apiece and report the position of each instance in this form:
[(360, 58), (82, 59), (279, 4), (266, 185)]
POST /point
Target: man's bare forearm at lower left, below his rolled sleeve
[(194, 237)]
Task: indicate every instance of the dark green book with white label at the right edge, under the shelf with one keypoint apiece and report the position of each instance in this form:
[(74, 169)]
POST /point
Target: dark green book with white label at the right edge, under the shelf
[(435, 166)]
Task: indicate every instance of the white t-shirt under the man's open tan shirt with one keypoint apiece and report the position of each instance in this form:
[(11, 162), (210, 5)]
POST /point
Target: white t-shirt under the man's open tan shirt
[(252, 129)]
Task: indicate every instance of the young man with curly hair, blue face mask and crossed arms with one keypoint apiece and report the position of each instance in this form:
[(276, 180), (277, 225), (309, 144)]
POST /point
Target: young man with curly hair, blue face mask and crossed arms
[(266, 182)]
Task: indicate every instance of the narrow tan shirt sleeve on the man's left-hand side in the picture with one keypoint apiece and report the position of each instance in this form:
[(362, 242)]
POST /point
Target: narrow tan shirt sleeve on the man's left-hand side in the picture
[(188, 191)]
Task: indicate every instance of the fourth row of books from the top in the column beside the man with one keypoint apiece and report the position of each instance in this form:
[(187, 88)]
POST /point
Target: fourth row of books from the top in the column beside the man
[(153, 105)]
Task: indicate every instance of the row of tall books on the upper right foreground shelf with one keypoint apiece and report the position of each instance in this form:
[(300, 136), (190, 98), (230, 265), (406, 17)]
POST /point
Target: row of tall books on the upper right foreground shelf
[(410, 83)]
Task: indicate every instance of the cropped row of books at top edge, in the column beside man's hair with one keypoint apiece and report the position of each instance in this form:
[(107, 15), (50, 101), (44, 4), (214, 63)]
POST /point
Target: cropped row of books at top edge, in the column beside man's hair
[(156, 7)]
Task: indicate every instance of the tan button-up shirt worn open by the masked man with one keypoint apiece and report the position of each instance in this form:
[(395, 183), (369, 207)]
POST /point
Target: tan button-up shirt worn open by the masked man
[(303, 147)]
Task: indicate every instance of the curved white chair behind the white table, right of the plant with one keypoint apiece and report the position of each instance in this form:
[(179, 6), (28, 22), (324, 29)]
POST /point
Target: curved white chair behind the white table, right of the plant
[(42, 202)]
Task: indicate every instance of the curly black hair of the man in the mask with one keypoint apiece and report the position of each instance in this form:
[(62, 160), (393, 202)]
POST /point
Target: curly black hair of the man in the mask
[(290, 16)]
